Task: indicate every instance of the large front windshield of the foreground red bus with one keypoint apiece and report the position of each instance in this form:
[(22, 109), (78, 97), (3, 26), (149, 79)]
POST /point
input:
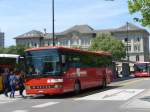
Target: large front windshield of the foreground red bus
[(42, 63)]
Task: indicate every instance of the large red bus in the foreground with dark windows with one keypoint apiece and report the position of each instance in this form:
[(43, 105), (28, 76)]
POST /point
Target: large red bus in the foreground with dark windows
[(57, 70)]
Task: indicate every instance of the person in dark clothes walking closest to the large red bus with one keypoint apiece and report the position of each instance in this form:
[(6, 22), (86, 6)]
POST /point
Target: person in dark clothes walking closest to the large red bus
[(20, 83)]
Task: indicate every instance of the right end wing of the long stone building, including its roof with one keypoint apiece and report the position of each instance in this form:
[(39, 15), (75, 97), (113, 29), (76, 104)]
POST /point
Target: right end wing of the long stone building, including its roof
[(136, 41)]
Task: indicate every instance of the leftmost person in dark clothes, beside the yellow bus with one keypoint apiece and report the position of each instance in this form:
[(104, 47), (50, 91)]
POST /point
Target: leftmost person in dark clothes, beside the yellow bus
[(5, 78)]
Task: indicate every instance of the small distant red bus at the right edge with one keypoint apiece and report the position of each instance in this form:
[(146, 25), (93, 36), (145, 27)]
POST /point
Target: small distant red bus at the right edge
[(142, 69)]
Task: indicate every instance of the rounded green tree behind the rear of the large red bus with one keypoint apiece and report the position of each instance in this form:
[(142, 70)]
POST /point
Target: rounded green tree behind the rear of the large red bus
[(106, 42)]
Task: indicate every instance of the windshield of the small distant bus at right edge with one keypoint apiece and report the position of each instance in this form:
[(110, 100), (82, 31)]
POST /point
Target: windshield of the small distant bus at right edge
[(143, 67)]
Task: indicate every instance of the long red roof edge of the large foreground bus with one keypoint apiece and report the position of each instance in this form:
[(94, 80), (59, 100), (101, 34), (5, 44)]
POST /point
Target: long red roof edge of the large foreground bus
[(71, 49)]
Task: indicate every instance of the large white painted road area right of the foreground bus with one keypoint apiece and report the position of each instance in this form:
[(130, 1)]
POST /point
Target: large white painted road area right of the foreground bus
[(114, 95)]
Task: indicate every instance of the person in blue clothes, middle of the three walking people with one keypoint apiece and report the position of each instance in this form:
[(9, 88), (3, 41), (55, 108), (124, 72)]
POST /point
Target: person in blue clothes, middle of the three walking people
[(12, 82)]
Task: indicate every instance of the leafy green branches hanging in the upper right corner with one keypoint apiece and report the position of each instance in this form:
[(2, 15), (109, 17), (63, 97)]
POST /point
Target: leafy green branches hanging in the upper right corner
[(143, 8)]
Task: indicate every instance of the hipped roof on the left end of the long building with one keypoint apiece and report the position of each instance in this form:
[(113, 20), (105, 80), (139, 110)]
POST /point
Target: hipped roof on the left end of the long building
[(31, 34)]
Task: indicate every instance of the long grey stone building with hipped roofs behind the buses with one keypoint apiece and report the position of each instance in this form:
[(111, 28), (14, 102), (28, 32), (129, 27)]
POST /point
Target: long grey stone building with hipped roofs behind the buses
[(135, 39)]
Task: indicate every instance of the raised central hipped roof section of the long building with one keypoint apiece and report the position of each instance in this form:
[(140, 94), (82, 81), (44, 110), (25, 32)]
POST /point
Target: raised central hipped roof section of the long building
[(79, 28)]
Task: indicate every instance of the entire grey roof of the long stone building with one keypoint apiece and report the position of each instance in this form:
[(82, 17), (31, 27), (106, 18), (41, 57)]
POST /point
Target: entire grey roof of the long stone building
[(85, 29)]
